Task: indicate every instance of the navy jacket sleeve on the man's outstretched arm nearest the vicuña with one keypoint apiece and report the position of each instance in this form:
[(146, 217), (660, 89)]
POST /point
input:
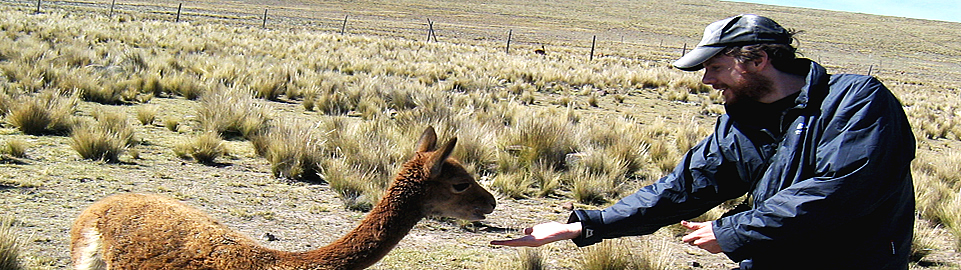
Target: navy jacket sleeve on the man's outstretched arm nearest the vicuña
[(707, 176)]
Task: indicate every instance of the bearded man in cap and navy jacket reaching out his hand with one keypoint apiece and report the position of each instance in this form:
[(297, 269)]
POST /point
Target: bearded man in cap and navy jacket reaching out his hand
[(825, 161)]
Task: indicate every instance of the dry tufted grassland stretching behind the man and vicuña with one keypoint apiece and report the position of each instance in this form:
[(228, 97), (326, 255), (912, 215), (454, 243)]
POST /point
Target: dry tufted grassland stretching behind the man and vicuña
[(293, 130)]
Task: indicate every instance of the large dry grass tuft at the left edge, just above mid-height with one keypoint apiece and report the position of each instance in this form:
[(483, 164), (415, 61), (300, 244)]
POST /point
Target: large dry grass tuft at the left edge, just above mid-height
[(48, 112)]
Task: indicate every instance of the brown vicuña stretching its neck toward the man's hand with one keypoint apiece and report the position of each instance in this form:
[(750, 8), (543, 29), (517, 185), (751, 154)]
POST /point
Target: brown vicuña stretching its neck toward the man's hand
[(136, 231)]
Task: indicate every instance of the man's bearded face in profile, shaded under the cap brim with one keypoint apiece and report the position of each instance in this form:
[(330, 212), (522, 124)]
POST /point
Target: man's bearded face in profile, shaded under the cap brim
[(737, 81)]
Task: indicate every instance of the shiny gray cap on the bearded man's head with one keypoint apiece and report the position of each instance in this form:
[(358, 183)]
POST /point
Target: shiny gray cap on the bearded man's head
[(740, 30)]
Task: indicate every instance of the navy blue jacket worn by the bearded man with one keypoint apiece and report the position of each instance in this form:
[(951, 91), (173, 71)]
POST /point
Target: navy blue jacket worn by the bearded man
[(830, 182)]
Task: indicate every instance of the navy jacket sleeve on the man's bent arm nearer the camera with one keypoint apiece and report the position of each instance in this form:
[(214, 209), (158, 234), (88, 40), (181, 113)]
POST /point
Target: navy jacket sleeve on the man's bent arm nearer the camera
[(858, 162)]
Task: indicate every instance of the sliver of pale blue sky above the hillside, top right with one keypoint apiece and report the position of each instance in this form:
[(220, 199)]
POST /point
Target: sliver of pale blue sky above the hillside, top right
[(941, 10)]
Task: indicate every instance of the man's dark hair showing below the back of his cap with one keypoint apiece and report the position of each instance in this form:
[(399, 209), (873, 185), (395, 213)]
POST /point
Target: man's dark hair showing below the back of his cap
[(783, 56)]
